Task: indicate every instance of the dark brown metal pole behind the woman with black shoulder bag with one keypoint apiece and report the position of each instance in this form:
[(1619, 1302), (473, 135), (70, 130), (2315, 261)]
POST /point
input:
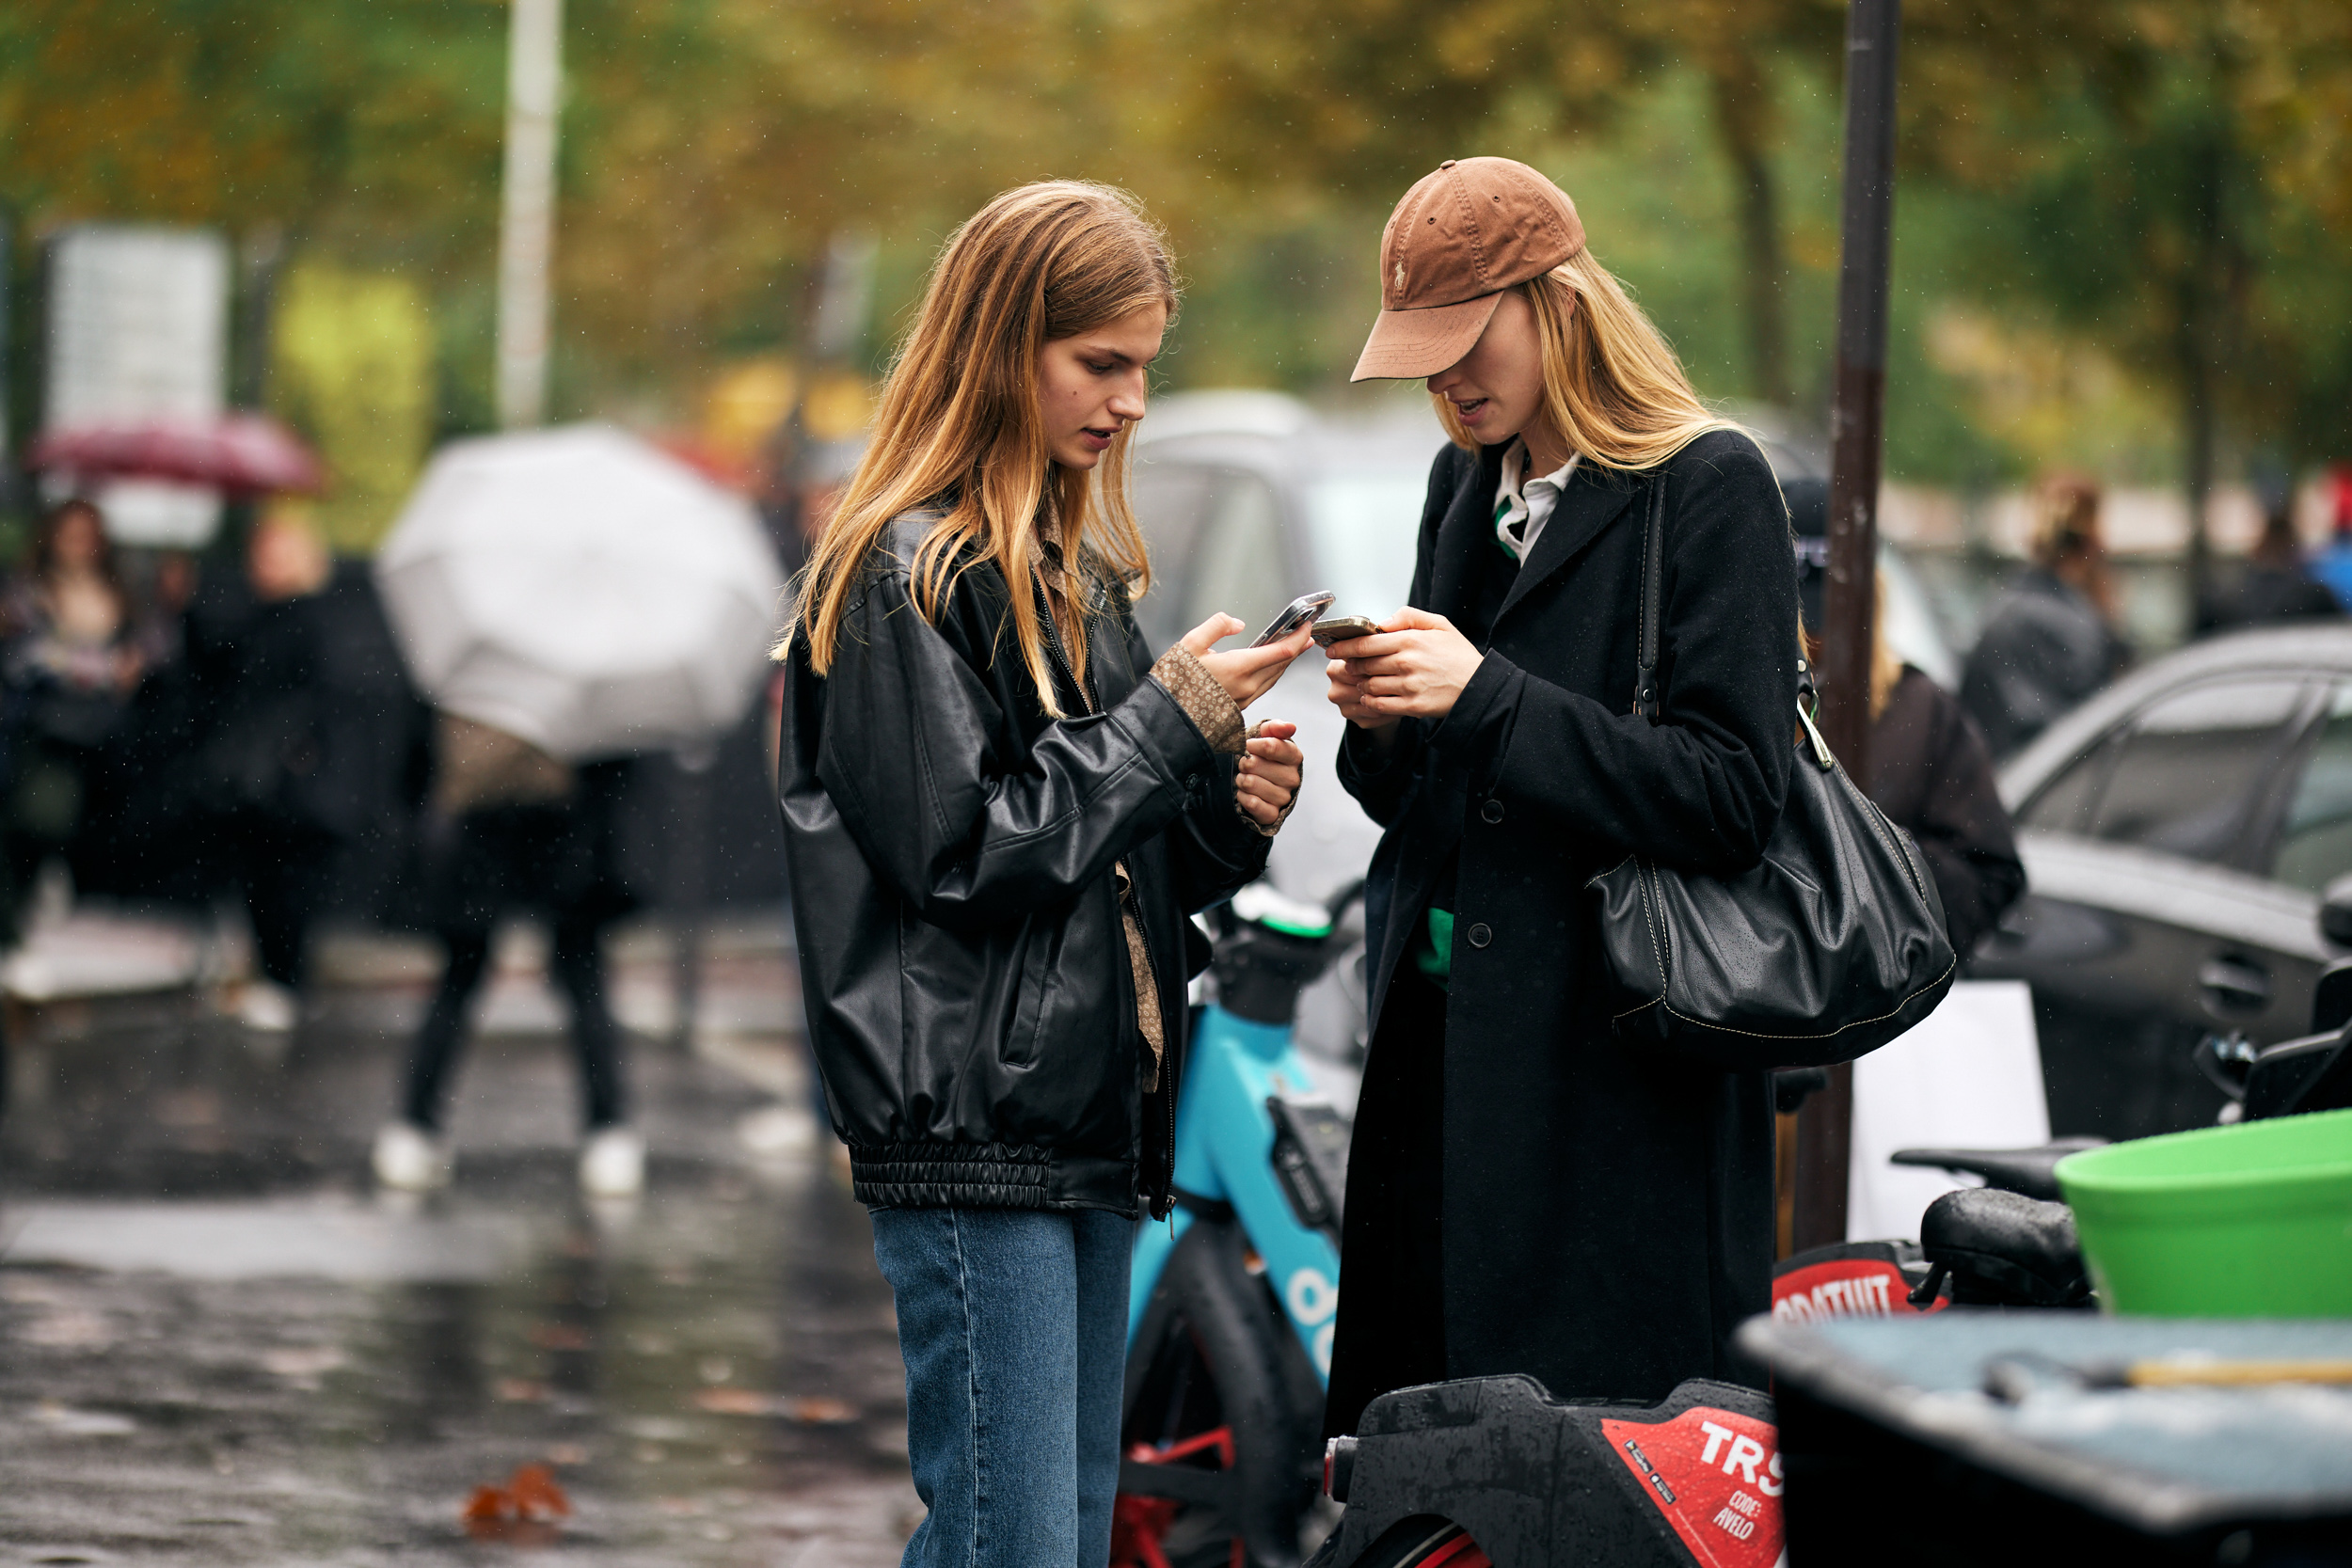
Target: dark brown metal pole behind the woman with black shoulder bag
[(1873, 29)]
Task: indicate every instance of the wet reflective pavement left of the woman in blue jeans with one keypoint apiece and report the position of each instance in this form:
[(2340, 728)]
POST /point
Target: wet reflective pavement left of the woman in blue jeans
[(222, 1346)]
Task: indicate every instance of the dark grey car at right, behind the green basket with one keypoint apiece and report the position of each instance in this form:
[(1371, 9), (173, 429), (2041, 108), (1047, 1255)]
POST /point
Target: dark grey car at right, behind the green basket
[(2179, 833)]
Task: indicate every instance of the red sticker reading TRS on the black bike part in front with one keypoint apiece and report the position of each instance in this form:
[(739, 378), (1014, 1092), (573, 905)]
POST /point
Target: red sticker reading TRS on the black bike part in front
[(1716, 1477)]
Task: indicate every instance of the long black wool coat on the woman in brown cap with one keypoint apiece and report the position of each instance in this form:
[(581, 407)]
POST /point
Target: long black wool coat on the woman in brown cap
[(1605, 1212)]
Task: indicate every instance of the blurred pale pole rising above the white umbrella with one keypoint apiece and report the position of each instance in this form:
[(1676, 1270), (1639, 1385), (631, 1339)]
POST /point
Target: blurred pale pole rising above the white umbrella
[(528, 220)]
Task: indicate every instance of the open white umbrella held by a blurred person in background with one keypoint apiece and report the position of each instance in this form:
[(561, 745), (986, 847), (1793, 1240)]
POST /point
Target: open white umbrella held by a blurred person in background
[(584, 591)]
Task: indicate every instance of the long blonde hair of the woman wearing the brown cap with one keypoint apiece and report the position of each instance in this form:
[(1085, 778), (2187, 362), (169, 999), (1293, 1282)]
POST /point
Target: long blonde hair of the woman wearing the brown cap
[(1612, 387)]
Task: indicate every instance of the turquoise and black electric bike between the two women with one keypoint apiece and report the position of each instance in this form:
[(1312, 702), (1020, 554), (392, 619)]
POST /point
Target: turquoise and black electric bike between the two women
[(1236, 1296)]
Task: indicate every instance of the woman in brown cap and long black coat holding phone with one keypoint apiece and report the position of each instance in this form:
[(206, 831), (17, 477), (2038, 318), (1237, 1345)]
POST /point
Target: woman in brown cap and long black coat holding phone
[(1530, 1195)]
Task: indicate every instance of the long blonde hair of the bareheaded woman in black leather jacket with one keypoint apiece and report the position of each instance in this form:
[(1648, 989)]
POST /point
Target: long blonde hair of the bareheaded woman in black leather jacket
[(958, 422)]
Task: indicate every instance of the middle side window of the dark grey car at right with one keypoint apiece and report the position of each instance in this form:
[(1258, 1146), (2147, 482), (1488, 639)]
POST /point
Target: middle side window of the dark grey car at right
[(2193, 765)]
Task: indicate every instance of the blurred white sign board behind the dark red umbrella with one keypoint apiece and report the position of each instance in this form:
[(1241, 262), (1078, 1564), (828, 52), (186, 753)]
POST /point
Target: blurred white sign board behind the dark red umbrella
[(140, 333)]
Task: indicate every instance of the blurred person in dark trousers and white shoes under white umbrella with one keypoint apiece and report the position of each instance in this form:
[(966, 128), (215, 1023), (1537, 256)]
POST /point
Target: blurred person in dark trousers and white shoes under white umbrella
[(568, 598)]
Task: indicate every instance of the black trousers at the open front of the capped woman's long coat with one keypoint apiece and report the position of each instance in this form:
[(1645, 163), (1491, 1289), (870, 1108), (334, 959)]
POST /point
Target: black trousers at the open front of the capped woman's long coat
[(1391, 1306)]
